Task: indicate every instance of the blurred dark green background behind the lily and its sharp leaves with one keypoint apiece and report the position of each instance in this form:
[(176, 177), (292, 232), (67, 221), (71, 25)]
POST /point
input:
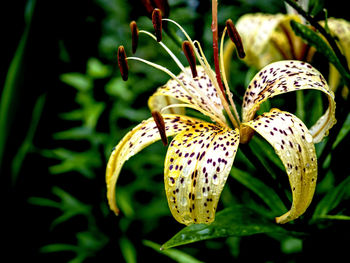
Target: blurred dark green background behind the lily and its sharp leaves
[(64, 107)]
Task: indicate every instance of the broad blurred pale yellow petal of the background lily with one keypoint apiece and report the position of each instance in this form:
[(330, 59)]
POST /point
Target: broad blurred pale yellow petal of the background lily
[(263, 38)]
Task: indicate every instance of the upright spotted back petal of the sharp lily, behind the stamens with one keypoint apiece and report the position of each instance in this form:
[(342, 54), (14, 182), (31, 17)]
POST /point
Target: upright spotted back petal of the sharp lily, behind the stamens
[(200, 93)]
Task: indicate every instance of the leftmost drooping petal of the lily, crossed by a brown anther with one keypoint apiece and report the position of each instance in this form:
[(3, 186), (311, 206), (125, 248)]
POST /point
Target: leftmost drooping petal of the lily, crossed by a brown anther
[(134, 141)]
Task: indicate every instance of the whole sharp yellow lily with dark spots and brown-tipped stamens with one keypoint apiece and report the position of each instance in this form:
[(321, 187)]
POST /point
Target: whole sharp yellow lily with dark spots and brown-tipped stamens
[(200, 156)]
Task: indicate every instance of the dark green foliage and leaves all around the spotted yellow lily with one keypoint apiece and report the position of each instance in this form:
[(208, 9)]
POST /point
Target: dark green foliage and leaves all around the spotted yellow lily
[(54, 173)]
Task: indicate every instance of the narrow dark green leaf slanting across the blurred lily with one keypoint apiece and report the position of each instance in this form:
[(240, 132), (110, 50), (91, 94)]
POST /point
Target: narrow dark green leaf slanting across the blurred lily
[(313, 39)]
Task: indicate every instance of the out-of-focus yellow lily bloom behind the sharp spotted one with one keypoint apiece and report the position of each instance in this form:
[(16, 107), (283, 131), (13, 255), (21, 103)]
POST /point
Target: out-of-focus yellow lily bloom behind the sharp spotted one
[(269, 37)]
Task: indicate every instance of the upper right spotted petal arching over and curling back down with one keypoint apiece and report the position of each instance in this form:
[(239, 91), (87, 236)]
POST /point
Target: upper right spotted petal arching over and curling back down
[(285, 76)]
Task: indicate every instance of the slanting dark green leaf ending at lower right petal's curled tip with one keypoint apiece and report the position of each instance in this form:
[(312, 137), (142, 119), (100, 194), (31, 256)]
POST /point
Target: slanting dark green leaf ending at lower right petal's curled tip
[(267, 194)]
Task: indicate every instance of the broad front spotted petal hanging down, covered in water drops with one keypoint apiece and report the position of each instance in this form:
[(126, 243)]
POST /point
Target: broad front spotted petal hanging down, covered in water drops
[(197, 164)]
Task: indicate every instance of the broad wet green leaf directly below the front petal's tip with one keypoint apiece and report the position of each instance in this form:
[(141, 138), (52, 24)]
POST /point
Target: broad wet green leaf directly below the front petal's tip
[(237, 220)]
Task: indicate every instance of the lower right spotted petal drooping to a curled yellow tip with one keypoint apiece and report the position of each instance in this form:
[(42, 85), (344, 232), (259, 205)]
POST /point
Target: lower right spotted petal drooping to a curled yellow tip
[(293, 144)]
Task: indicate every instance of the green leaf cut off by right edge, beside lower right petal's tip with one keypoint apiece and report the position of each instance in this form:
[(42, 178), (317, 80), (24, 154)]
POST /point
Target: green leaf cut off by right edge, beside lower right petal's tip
[(332, 199)]
